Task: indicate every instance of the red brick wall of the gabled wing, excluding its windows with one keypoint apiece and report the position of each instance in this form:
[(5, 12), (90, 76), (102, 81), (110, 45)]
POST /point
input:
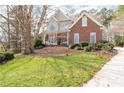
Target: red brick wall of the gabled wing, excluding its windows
[(84, 32)]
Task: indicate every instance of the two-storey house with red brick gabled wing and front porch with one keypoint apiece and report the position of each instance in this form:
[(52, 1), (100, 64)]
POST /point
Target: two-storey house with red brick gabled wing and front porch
[(64, 30)]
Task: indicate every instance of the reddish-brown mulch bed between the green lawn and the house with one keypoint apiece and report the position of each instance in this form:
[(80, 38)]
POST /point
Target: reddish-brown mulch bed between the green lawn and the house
[(51, 51)]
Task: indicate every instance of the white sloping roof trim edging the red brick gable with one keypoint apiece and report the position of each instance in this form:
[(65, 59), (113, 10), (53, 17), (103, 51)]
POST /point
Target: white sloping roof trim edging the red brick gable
[(89, 16)]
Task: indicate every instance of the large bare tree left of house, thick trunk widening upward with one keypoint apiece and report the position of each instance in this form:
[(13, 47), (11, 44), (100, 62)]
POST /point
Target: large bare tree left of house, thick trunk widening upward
[(24, 19)]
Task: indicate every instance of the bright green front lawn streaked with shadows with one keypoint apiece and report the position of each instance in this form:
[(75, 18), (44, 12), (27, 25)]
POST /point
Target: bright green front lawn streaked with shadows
[(51, 71)]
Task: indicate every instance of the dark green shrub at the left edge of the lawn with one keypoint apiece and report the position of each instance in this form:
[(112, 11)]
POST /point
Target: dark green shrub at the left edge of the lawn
[(5, 57)]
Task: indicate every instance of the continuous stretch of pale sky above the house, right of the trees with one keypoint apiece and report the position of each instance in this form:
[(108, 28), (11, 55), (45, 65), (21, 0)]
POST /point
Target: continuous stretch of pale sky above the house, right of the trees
[(79, 8)]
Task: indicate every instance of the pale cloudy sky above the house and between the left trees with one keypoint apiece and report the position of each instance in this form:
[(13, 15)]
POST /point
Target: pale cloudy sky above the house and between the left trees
[(67, 8)]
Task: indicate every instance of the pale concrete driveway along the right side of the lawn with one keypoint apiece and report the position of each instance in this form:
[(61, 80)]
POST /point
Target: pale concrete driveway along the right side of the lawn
[(112, 74)]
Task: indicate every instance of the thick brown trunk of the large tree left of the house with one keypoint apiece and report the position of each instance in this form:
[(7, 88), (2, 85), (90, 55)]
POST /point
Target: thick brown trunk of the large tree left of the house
[(26, 25)]
